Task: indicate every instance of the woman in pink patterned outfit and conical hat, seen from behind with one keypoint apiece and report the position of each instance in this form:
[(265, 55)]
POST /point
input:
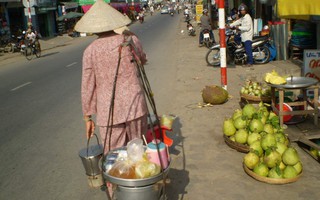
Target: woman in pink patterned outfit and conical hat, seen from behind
[(100, 63)]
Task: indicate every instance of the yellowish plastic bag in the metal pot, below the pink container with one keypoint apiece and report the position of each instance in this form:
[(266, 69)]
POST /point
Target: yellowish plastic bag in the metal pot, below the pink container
[(145, 169)]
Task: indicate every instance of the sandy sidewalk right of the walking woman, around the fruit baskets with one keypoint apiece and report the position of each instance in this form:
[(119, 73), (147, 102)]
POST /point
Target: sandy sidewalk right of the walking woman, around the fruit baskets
[(203, 166)]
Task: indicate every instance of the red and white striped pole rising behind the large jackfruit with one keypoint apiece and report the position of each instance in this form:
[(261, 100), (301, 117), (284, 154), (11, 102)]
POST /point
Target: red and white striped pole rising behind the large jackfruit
[(223, 51)]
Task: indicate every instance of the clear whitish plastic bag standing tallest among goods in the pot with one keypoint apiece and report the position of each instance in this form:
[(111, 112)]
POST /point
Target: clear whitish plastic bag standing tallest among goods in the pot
[(135, 150)]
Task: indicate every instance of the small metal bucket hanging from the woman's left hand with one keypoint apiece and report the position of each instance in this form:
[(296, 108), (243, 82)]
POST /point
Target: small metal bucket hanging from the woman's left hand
[(91, 157)]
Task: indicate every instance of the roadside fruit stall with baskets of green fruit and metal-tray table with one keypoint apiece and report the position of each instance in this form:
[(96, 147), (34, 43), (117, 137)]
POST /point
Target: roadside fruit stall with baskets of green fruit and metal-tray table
[(259, 128)]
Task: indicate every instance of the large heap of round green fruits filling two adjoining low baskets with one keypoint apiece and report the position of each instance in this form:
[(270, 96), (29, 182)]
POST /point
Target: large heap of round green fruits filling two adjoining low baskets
[(270, 154)]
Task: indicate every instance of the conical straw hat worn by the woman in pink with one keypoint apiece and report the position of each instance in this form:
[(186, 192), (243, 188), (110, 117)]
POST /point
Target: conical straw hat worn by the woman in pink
[(101, 18)]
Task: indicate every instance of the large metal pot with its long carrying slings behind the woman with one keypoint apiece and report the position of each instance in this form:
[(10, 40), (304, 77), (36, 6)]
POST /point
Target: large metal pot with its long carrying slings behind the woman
[(136, 189)]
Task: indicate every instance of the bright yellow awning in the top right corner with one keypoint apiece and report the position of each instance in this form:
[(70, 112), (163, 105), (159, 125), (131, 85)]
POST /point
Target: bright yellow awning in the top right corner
[(298, 9)]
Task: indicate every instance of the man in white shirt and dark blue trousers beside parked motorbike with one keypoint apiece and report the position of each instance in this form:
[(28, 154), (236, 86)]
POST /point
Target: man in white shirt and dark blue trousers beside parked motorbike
[(245, 26)]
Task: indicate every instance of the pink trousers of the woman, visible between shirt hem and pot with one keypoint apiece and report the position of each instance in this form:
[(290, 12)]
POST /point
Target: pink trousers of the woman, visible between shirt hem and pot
[(122, 133)]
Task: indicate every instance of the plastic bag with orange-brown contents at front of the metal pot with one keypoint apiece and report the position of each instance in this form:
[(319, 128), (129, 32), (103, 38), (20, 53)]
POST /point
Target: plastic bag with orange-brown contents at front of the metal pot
[(123, 169)]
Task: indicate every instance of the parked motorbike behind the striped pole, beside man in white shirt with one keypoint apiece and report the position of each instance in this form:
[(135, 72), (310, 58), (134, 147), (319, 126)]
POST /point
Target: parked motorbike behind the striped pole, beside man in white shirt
[(236, 52)]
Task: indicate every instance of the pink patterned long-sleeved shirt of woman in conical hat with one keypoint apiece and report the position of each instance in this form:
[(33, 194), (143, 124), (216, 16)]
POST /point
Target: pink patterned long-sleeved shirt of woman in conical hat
[(100, 60)]
